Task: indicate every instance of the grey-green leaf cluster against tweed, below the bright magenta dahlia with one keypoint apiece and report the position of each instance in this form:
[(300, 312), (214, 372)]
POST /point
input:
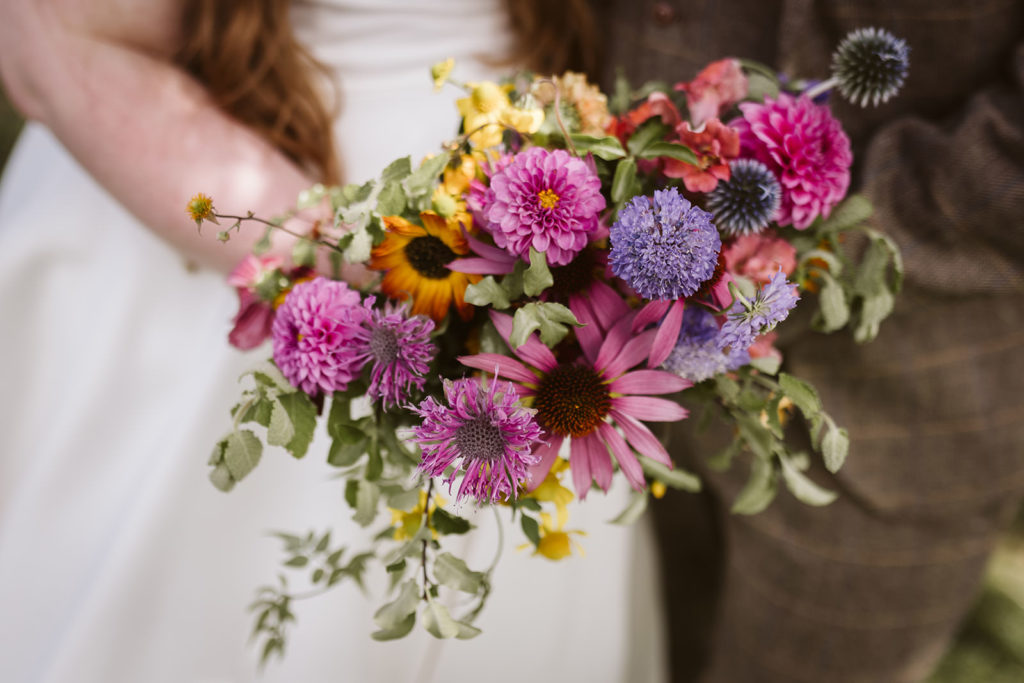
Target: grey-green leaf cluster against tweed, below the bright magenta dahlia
[(859, 270)]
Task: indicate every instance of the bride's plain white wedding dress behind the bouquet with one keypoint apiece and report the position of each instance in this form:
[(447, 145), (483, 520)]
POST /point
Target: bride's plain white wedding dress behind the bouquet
[(119, 562)]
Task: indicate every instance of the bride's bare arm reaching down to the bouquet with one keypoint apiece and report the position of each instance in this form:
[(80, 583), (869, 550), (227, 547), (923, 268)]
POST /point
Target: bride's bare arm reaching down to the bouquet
[(147, 133)]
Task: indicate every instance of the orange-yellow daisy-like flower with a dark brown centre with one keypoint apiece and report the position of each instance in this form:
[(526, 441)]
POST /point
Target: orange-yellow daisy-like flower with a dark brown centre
[(416, 262)]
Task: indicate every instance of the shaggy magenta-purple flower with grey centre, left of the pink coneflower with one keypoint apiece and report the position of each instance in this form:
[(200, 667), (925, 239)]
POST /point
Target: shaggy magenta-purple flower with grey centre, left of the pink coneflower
[(484, 429)]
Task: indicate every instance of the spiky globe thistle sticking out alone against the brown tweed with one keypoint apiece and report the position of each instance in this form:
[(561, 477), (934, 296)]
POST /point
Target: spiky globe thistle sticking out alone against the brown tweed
[(871, 66)]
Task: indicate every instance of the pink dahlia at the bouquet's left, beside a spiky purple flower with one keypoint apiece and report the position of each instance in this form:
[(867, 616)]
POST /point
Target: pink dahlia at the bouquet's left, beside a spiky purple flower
[(314, 336)]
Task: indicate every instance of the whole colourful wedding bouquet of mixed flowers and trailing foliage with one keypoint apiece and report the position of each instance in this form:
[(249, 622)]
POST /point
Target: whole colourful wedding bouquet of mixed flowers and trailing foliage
[(569, 270)]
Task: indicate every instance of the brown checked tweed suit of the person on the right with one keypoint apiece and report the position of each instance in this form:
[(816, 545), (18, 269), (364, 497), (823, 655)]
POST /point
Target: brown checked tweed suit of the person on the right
[(873, 587)]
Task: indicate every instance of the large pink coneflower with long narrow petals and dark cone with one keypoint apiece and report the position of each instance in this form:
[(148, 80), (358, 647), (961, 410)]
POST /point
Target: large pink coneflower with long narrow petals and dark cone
[(585, 400)]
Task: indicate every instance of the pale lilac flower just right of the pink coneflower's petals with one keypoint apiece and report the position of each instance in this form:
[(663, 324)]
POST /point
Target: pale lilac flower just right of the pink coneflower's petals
[(697, 356)]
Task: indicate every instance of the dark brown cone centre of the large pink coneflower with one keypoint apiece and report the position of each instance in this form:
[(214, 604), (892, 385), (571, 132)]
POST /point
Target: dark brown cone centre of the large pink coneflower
[(572, 401)]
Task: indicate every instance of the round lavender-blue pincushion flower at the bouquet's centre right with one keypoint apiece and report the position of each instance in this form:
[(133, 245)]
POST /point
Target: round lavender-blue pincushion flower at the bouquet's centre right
[(664, 248)]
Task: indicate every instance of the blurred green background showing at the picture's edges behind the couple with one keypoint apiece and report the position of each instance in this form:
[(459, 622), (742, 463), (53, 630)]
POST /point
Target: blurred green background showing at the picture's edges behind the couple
[(991, 646)]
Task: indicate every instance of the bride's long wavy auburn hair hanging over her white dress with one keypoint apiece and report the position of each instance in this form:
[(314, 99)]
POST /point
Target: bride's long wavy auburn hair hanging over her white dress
[(247, 57)]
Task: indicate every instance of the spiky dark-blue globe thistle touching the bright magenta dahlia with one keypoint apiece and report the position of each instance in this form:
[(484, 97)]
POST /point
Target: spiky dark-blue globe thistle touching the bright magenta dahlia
[(748, 201)]
